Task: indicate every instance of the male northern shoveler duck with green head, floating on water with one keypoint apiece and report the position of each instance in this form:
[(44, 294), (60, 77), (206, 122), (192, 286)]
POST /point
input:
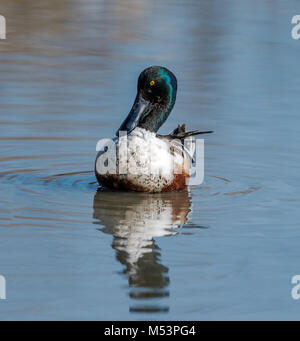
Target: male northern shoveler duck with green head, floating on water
[(154, 163)]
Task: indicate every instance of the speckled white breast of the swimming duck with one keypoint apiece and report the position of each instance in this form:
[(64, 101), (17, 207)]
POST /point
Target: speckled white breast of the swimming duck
[(146, 161)]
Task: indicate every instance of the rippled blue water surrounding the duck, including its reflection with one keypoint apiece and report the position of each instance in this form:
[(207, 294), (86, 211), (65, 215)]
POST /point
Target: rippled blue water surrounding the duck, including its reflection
[(226, 249)]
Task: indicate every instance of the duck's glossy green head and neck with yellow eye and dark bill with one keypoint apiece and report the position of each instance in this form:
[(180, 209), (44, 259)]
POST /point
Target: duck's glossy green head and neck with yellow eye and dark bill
[(156, 95)]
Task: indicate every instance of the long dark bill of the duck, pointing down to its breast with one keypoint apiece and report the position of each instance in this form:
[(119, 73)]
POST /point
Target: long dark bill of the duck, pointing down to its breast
[(139, 110)]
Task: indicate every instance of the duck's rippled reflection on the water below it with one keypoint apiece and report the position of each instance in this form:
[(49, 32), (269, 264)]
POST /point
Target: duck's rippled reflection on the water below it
[(134, 219)]
